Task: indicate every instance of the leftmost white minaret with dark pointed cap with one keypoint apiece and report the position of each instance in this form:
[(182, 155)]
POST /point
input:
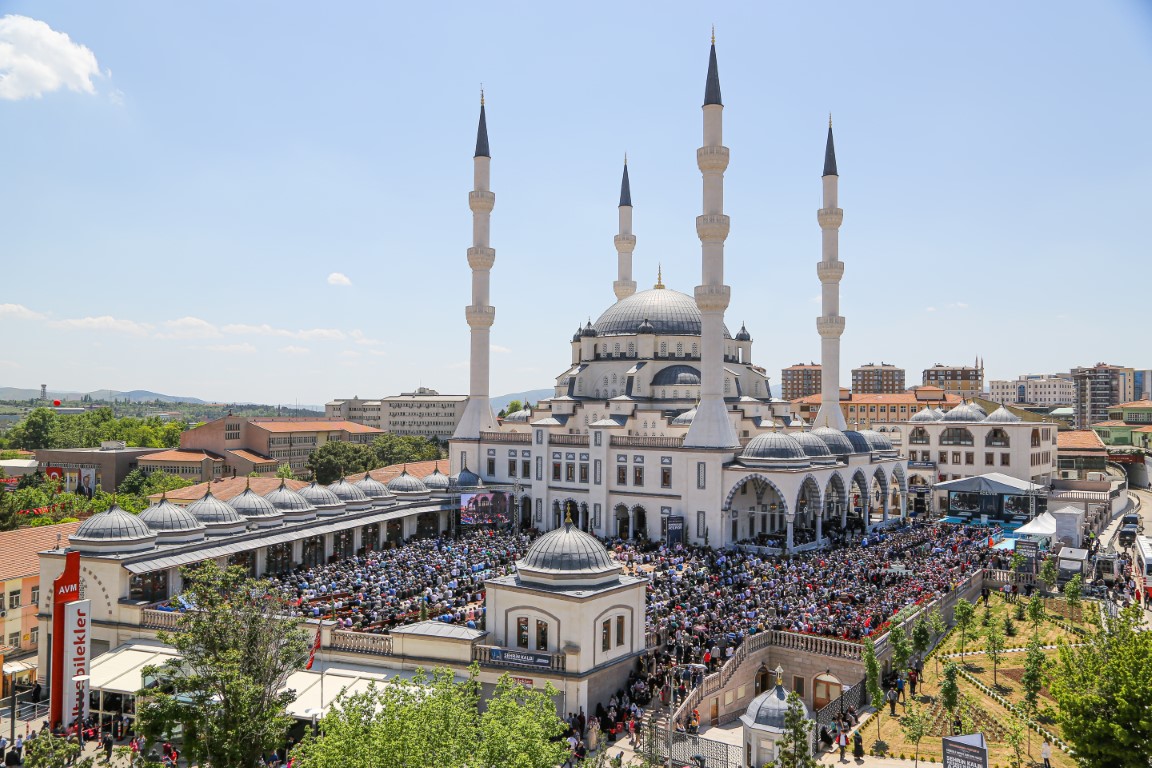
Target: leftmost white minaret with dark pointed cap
[(478, 415)]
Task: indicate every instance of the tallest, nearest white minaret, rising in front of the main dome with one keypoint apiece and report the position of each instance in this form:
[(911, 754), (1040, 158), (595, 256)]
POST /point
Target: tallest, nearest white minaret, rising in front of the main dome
[(711, 427)]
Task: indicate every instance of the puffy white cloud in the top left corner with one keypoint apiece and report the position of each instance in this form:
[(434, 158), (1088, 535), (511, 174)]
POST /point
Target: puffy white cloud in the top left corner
[(36, 59)]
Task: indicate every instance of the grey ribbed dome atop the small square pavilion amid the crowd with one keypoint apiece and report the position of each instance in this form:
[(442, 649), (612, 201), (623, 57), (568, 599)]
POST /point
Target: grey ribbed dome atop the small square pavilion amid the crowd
[(567, 557)]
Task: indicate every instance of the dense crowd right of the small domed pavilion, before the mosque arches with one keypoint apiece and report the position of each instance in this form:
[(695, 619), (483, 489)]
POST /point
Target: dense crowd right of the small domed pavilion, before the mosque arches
[(703, 603)]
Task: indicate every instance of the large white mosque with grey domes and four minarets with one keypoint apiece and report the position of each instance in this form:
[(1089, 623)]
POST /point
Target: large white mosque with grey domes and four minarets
[(663, 427)]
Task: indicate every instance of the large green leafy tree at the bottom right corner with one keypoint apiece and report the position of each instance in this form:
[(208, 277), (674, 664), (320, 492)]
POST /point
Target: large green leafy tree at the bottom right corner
[(1104, 689)]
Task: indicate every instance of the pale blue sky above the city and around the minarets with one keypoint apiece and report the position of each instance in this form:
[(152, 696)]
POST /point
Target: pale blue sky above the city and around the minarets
[(178, 192)]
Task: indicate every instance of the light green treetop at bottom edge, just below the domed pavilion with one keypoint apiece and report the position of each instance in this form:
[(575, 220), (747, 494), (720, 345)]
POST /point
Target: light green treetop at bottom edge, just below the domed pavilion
[(520, 728)]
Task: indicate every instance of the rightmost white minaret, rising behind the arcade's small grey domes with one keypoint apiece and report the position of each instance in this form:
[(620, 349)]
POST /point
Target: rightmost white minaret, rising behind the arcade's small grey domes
[(830, 270)]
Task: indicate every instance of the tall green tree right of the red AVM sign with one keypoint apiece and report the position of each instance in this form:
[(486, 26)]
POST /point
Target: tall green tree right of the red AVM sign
[(226, 690)]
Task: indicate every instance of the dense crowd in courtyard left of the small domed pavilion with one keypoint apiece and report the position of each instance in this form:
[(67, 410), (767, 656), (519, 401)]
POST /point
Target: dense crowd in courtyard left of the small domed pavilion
[(438, 579)]
